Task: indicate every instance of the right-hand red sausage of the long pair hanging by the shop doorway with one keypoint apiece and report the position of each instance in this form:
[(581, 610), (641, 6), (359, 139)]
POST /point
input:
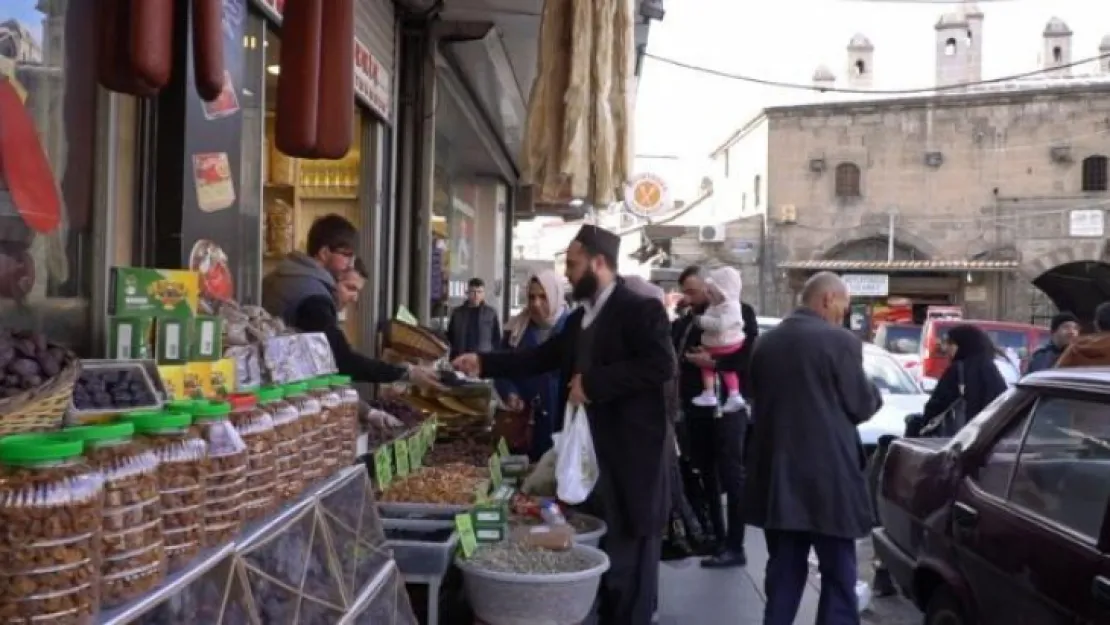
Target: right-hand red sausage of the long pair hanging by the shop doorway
[(336, 122)]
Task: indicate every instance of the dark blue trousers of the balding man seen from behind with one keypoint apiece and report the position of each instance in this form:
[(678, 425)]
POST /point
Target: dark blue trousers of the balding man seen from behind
[(789, 570)]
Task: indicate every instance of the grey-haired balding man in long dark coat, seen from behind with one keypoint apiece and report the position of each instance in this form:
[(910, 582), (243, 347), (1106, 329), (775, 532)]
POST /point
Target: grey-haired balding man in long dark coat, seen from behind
[(806, 467)]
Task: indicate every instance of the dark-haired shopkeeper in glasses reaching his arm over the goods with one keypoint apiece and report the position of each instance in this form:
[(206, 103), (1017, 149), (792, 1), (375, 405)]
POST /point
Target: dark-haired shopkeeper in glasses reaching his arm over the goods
[(302, 293)]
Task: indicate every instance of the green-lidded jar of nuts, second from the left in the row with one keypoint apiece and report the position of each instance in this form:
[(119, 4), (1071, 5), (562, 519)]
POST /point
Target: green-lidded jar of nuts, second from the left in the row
[(133, 547)]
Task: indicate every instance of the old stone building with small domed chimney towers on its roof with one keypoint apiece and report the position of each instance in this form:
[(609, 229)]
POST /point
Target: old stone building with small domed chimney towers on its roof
[(987, 196)]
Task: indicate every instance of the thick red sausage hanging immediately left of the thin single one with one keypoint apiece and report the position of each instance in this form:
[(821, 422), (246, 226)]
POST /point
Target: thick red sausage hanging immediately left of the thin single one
[(152, 37)]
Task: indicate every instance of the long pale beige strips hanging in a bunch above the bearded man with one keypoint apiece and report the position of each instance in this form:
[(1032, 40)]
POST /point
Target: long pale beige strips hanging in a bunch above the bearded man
[(578, 142)]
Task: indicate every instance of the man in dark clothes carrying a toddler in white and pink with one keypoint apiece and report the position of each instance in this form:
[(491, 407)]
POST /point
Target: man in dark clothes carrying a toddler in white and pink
[(717, 442)]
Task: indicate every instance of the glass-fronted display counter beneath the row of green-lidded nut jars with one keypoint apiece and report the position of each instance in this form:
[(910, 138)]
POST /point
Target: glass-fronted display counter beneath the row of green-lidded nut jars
[(319, 561)]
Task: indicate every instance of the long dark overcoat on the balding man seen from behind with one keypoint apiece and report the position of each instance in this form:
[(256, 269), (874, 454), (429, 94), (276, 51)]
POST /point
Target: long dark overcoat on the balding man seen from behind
[(806, 463)]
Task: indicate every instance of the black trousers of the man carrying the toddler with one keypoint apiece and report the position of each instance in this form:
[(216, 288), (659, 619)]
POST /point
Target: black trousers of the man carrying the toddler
[(717, 449)]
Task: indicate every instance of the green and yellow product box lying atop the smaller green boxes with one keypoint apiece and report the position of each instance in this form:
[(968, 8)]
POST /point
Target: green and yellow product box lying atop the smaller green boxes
[(154, 293)]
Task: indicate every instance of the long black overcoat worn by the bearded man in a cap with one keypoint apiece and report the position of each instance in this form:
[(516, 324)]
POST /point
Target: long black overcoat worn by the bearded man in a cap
[(628, 410)]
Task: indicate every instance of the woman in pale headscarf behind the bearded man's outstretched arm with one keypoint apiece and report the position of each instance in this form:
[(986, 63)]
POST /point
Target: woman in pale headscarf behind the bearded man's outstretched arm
[(543, 318)]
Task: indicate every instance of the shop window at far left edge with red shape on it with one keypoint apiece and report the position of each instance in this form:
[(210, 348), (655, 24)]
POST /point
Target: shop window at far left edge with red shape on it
[(48, 123)]
